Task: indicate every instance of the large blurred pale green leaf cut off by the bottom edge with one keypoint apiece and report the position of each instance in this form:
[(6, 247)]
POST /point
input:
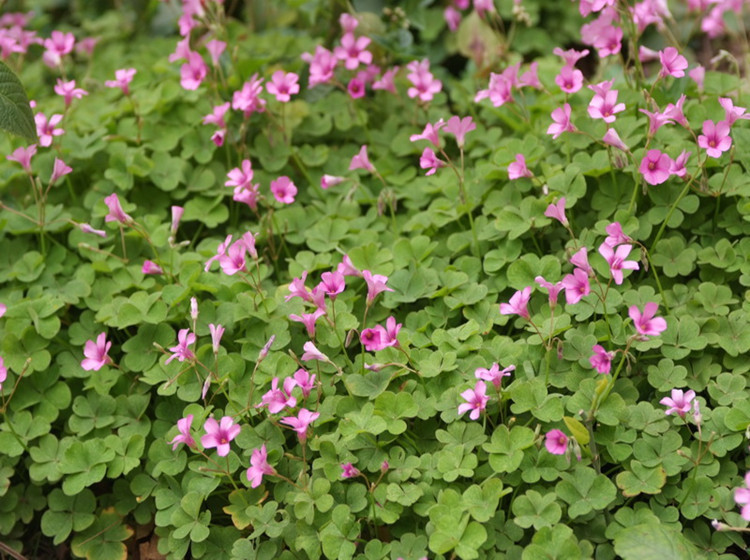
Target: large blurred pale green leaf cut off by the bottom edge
[(654, 542)]
